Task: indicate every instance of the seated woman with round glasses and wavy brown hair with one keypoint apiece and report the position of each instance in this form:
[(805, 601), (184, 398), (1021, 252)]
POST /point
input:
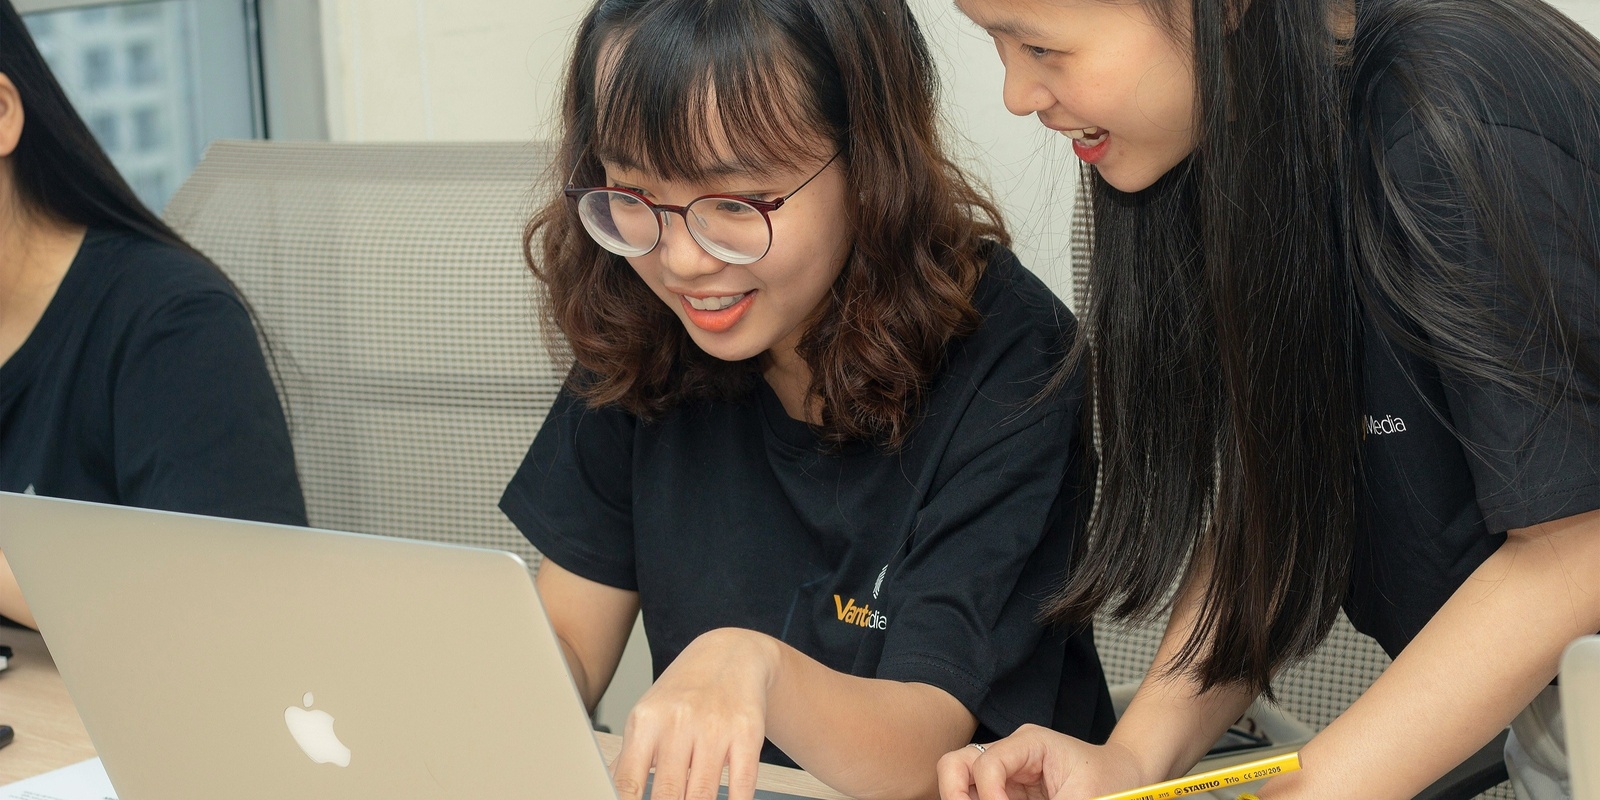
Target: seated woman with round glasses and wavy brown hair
[(809, 431)]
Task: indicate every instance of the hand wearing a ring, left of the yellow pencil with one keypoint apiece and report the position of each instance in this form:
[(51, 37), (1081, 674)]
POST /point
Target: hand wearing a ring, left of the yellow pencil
[(1038, 764)]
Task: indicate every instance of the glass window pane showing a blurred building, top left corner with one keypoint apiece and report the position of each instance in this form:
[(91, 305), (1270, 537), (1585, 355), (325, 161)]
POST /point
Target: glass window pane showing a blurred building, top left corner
[(156, 82)]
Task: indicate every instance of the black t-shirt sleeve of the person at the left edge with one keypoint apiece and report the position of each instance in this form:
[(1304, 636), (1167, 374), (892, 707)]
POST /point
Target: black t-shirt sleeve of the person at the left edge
[(196, 420)]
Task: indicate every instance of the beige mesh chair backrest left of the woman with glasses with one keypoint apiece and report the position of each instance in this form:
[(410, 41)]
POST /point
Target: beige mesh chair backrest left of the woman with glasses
[(390, 282)]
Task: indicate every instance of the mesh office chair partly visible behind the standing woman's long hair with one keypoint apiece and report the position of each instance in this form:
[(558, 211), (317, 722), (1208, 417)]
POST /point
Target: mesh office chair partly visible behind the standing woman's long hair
[(1311, 694)]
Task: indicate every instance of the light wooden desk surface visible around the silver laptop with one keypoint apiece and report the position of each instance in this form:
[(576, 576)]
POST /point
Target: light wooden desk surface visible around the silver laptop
[(50, 735)]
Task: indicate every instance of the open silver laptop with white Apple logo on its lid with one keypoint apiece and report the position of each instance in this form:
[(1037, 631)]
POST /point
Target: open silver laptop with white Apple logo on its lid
[(214, 658)]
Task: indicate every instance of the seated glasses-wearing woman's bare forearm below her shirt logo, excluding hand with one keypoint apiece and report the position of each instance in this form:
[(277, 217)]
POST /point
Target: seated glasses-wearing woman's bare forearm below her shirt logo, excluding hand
[(874, 740)]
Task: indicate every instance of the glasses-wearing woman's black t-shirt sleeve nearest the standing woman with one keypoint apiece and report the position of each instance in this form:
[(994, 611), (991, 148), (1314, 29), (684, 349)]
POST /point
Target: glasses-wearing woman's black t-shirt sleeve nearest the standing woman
[(964, 602)]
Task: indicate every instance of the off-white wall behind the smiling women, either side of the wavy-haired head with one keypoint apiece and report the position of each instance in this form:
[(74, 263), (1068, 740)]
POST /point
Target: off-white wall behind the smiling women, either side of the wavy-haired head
[(492, 70)]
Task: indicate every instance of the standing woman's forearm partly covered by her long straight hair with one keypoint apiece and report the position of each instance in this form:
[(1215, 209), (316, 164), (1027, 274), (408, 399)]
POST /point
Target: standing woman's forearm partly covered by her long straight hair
[(1170, 726)]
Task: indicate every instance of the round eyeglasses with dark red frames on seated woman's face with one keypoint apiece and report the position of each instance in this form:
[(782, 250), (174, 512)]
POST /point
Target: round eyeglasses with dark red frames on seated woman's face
[(734, 230)]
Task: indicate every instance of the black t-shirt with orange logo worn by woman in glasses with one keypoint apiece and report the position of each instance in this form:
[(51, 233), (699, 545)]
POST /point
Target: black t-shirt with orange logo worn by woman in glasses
[(924, 566)]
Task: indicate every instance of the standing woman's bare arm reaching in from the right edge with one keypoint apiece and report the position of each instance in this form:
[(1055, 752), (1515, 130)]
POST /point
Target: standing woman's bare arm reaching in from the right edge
[(1470, 671)]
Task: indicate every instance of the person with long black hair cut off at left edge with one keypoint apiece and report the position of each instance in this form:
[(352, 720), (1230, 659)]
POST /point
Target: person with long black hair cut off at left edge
[(130, 370)]
